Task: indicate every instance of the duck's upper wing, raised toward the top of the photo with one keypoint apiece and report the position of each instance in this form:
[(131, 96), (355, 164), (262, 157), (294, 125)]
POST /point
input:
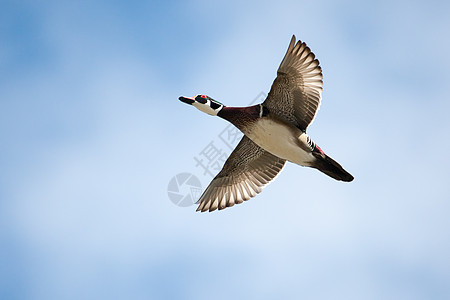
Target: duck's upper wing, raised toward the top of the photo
[(297, 91)]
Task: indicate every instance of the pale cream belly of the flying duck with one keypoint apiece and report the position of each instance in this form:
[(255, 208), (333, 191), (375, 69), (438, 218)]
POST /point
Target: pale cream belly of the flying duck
[(280, 139)]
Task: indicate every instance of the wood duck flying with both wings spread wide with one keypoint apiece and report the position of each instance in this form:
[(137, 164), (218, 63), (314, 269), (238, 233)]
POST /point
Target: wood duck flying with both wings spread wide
[(274, 132)]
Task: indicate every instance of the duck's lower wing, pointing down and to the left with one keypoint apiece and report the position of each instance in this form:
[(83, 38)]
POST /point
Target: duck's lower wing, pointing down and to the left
[(248, 169)]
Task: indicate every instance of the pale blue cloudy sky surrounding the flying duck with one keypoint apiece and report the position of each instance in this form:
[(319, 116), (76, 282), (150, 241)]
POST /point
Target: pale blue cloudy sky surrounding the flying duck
[(92, 133)]
